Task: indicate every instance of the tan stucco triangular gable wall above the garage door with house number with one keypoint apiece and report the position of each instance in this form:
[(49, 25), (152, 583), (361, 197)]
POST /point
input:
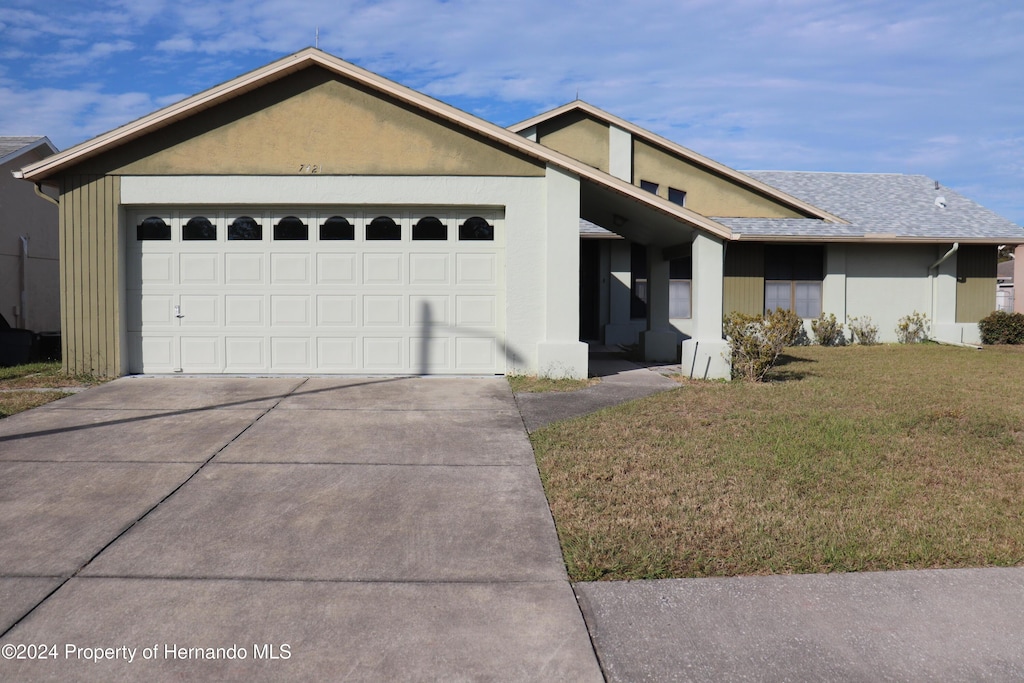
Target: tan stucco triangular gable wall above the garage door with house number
[(313, 122)]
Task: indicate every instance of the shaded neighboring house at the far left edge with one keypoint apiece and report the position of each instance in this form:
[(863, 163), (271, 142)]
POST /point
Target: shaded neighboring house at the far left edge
[(29, 252)]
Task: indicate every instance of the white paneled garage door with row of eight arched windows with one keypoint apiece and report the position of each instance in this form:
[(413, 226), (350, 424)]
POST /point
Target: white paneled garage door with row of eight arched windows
[(331, 290)]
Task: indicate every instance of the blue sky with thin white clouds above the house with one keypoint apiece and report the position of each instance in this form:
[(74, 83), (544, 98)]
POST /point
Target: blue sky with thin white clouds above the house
[(922, 87)]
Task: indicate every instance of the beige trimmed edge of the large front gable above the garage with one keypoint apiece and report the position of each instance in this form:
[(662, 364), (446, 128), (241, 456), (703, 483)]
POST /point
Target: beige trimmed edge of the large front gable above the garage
[(313, 57)]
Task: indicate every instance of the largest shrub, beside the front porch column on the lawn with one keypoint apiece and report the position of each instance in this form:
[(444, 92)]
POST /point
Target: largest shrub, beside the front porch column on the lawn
[(757, 341)]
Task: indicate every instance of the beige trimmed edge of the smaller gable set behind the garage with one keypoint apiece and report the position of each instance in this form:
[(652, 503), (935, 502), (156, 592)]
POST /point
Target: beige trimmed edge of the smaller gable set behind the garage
[(685, 153)]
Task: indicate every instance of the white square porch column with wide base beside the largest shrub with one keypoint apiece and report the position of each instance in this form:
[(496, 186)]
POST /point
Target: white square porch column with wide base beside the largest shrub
[(706, 354)]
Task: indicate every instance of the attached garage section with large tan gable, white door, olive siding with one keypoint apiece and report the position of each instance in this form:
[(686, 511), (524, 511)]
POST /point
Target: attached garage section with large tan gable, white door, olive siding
[(312, 218)]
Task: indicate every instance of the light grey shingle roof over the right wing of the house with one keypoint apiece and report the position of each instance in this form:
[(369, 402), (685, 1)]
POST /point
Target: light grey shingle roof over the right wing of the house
[(878, 204)]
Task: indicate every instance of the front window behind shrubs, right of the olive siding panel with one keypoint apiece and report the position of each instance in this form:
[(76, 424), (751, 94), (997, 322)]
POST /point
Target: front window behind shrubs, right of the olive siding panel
[(793, 279)]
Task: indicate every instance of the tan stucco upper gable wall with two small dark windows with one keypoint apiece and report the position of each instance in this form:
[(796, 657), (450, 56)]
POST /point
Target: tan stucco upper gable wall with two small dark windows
[(708, 194)]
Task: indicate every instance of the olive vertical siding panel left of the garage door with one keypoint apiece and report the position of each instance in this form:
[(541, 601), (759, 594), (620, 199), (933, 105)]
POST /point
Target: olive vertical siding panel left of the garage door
[(90, 275)]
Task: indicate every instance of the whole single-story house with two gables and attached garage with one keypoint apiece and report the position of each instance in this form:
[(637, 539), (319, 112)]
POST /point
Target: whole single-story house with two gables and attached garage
[(314, 218)]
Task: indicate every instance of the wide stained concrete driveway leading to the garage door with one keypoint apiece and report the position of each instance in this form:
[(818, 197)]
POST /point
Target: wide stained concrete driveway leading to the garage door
[(231, 529)]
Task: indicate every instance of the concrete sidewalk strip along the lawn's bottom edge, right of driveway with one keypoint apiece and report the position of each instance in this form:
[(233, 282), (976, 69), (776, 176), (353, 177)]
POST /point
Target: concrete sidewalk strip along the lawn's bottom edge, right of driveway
[(941, 625)]
